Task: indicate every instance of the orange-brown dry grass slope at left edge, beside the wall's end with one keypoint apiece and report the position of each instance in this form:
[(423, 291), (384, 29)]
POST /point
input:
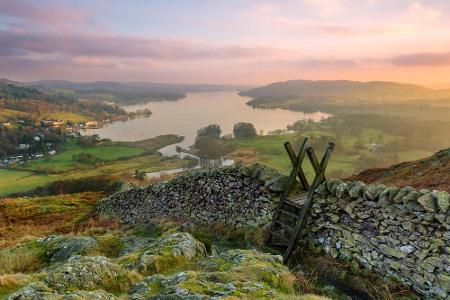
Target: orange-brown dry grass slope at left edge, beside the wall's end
[(23, 218)]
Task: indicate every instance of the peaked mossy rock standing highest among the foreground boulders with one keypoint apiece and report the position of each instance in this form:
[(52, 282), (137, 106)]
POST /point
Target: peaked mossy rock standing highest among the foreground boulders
[(168, 251)]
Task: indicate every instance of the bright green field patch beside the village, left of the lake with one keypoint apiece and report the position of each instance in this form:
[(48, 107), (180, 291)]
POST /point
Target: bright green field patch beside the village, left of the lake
[(63, 162)]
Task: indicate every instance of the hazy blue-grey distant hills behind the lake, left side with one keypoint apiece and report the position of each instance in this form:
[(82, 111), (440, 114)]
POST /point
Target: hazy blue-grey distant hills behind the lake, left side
[(126, 92)]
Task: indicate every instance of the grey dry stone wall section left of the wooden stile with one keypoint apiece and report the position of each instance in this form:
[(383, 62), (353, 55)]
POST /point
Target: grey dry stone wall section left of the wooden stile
[(237, 195)]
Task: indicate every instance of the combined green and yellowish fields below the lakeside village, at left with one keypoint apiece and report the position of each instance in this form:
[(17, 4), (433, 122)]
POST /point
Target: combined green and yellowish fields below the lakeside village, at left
[(118, 160)]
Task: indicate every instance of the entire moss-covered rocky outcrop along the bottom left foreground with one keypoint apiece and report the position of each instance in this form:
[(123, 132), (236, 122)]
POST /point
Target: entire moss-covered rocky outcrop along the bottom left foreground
[(248, 274)]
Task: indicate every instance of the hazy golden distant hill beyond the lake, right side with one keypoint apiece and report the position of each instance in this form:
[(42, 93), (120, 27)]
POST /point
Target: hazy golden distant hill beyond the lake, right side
[(345, 91)]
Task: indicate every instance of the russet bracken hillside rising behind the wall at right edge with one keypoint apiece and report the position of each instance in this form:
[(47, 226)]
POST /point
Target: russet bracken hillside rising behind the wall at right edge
[(431, 173)]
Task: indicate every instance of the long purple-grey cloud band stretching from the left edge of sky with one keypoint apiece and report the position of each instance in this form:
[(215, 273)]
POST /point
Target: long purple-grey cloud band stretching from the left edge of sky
[(125, 46)]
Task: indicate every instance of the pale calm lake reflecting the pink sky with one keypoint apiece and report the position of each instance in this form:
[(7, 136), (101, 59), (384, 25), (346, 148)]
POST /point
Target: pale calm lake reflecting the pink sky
[(184, 117)]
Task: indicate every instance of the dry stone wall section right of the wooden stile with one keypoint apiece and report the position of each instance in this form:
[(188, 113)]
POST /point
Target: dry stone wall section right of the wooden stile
[(401, 233)]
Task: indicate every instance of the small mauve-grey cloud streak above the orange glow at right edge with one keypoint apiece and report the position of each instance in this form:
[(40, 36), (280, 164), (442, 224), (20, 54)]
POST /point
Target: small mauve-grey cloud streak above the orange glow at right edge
[(422, 59)]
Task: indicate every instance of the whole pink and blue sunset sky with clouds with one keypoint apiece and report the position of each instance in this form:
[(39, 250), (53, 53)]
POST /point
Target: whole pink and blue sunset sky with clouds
[(244, 42)]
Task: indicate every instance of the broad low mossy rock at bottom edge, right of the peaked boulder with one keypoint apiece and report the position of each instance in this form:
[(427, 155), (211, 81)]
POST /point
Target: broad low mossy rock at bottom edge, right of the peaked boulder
[(241, 273)]
